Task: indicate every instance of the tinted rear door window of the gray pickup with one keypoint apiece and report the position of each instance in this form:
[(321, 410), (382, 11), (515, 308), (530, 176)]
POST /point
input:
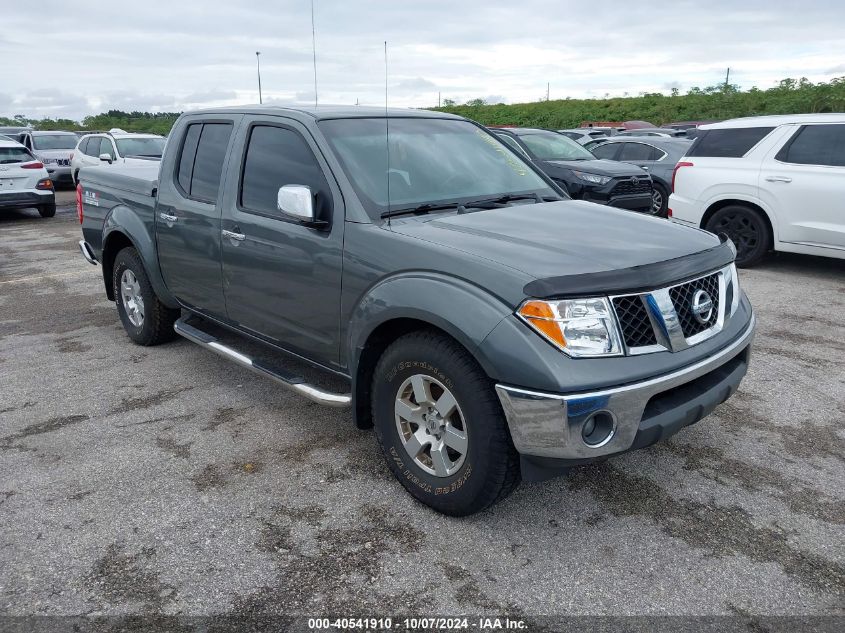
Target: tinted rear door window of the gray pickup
[(201, 161)]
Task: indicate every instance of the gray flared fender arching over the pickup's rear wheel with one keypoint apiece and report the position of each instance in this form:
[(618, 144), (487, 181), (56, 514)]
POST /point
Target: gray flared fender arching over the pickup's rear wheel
[(122, 220)]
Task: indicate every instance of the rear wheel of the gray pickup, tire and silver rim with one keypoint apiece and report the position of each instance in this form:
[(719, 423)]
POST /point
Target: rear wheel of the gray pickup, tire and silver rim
[(146, 320)]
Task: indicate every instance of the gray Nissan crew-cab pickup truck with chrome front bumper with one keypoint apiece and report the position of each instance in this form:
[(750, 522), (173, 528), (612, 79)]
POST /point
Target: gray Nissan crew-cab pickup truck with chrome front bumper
[(487, 326)]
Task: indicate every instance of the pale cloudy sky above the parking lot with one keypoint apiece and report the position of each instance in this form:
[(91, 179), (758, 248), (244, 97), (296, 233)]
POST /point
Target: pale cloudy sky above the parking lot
[(71, 59)]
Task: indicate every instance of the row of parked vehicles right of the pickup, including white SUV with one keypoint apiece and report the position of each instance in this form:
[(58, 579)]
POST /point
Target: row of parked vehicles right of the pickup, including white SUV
[(768, 183)]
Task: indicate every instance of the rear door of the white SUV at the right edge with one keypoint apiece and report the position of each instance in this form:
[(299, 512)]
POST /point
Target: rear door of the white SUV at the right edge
[(803, 181)]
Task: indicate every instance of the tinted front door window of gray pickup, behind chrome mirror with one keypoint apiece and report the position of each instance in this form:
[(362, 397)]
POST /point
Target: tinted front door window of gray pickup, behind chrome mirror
[(275, 157)]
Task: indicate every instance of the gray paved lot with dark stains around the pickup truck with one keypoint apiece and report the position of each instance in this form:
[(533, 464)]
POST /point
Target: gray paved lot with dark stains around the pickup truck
[(166, 480)]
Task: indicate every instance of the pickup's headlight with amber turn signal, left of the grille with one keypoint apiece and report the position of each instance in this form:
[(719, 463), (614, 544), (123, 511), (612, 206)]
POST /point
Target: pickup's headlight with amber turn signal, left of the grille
[(578, 327)]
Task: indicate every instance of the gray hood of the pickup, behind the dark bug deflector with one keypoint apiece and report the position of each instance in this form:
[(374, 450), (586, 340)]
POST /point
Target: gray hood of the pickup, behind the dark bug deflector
[(566, 238)]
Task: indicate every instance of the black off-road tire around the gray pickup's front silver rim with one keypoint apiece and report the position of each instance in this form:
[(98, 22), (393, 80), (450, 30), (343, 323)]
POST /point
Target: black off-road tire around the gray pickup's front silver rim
[(490, 470)]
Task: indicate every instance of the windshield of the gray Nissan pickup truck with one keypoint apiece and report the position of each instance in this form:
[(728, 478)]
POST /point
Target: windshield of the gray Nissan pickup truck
[(431, 161)]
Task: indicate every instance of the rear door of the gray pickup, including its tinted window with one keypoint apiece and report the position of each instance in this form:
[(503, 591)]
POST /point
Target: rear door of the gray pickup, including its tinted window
[(188, 212)]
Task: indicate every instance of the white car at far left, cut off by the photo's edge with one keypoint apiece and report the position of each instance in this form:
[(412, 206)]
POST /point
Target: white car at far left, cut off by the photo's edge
[(24, 182)]
